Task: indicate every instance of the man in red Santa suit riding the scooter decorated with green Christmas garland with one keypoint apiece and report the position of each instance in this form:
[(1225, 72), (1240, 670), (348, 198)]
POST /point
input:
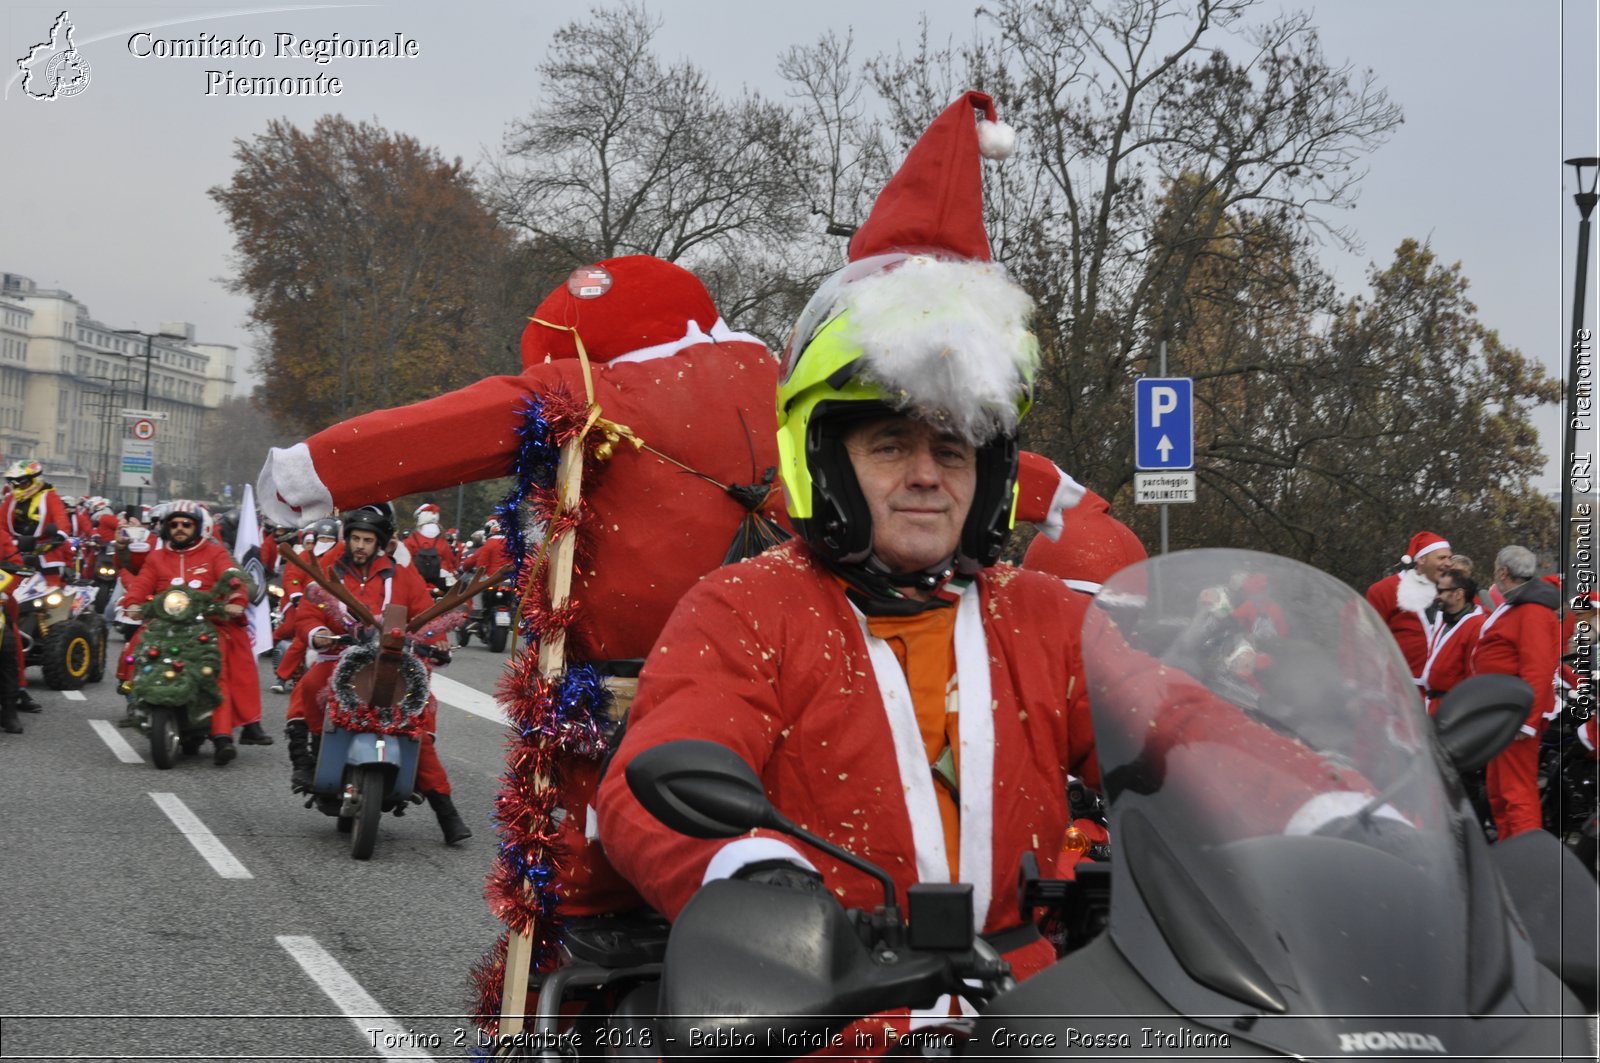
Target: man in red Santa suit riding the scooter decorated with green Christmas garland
[(190, 556)]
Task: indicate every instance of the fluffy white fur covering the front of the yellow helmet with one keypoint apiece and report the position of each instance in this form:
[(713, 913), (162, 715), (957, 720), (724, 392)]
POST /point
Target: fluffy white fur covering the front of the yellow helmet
[(948, 342)]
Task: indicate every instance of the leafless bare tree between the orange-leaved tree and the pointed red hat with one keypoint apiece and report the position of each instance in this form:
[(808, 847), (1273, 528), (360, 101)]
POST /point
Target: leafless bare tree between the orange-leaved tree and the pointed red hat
[(630, 156)]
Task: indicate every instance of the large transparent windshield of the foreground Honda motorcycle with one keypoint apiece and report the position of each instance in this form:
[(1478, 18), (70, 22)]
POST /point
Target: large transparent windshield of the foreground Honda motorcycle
[(1295, 838)]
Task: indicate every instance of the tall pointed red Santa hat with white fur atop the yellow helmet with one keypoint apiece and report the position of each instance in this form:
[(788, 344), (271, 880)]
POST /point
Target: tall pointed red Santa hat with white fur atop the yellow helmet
[(938, 324)]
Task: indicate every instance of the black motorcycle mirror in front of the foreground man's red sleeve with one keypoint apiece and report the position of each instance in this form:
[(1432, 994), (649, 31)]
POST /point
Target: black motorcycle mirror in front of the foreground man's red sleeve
[(702, 788)]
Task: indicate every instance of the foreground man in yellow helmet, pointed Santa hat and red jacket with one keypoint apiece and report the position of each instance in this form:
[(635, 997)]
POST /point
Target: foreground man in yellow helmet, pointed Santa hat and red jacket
[(897, 691)]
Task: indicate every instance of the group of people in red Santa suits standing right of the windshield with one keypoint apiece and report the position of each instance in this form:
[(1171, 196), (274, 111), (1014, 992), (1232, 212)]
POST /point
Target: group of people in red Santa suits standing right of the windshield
[(1433, 608)]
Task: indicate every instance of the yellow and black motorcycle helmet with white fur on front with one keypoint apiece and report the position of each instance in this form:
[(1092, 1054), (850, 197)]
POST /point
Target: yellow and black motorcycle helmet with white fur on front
[(938, 340)]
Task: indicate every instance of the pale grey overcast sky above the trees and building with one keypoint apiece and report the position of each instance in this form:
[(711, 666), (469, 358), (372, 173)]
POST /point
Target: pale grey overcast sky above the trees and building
[(103, 195)]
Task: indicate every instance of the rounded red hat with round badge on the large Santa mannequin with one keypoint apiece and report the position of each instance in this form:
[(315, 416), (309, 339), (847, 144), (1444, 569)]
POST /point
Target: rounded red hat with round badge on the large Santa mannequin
[(628, 308)]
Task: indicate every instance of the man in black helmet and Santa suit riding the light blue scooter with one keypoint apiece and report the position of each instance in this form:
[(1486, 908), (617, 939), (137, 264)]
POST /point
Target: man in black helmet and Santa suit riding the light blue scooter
[(377, 580)]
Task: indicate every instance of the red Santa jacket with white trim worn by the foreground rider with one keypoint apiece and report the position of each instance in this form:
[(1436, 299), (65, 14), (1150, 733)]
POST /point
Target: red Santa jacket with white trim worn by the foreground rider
[(770, 660)]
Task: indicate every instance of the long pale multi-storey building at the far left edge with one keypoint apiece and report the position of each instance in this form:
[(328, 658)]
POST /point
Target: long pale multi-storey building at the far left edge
[(66, 382)]
